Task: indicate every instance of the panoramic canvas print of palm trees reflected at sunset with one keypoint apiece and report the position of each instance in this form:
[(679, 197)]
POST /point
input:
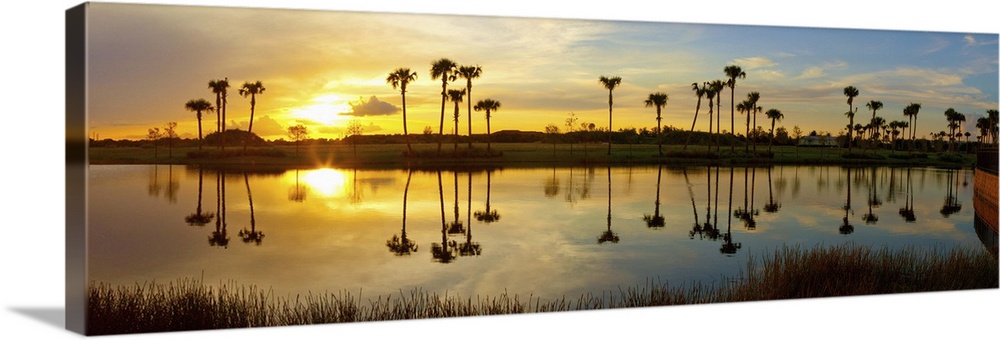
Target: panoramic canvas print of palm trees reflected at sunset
[(239, 167)]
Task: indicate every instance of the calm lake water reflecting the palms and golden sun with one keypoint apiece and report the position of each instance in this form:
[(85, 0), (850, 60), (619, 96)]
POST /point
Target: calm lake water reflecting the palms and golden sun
[(547, 232)]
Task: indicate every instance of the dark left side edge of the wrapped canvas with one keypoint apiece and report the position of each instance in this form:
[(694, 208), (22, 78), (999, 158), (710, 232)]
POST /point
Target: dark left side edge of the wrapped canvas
[(76, 167)]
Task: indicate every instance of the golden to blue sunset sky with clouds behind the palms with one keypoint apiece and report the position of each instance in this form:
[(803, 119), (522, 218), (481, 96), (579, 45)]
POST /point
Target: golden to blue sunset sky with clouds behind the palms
[(324, 68)]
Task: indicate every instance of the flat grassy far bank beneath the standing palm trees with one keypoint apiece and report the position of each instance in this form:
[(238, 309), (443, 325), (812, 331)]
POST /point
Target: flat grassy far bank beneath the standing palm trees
[(514, 155)]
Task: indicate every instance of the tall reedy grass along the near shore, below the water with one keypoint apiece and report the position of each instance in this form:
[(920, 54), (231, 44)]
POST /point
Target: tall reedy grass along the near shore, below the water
[(787, 274)]
